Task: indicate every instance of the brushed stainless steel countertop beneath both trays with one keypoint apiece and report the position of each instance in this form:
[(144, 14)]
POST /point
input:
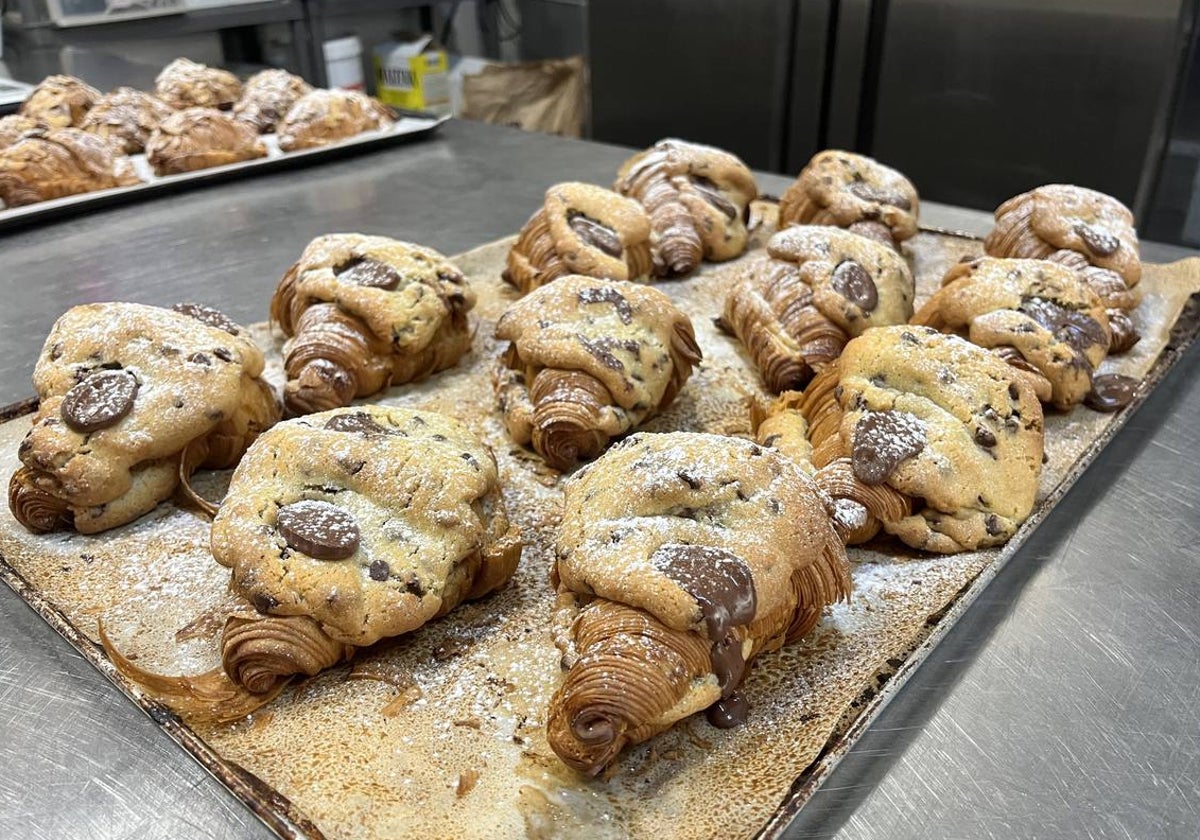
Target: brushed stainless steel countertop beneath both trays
[(1066, 704)]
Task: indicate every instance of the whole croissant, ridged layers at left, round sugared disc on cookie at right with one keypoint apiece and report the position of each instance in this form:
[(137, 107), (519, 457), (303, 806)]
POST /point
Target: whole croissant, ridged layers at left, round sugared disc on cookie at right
[(819, 287)]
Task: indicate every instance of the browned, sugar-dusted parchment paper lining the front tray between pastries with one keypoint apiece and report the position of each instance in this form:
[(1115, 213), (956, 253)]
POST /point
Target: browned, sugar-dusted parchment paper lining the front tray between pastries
[(440, 734)]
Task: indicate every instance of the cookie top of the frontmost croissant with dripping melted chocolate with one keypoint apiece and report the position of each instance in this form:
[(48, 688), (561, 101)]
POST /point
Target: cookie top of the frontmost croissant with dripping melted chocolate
[(691, 526)]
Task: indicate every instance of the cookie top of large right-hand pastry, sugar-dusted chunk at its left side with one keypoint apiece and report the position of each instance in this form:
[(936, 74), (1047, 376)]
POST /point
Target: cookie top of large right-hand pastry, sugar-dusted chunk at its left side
[(943, 421)]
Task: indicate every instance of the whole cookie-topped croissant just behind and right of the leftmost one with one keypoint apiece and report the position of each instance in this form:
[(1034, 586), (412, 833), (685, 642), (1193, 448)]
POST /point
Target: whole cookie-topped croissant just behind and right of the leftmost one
[(367, 313)]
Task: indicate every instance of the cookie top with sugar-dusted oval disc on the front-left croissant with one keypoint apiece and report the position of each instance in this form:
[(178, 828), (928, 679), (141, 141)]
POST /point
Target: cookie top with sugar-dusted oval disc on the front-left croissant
[(370, 520)]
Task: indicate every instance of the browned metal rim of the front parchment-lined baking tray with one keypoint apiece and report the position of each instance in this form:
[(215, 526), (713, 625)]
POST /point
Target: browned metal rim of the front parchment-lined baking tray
[(289, 823)]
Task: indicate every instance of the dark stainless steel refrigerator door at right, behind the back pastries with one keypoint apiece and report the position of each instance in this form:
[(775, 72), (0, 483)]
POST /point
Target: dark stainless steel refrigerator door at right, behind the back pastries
[(980, 100)]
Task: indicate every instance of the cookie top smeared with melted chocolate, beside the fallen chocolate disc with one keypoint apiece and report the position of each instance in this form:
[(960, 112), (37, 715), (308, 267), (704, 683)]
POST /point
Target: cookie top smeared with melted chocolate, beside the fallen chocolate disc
[(1042, 310)]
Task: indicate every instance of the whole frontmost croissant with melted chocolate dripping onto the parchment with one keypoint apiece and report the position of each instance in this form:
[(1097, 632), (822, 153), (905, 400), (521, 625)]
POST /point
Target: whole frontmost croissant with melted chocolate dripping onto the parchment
[(681, 557)]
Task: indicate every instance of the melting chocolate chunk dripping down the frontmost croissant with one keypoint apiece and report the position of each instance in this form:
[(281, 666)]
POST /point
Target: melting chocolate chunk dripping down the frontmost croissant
[(719, 580)]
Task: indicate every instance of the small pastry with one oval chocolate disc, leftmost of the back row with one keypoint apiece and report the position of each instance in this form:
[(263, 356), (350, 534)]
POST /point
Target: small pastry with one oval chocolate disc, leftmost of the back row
[(581, 230)]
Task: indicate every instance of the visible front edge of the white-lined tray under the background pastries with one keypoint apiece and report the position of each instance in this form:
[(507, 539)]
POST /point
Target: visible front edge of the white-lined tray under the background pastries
[(407, 128)]
